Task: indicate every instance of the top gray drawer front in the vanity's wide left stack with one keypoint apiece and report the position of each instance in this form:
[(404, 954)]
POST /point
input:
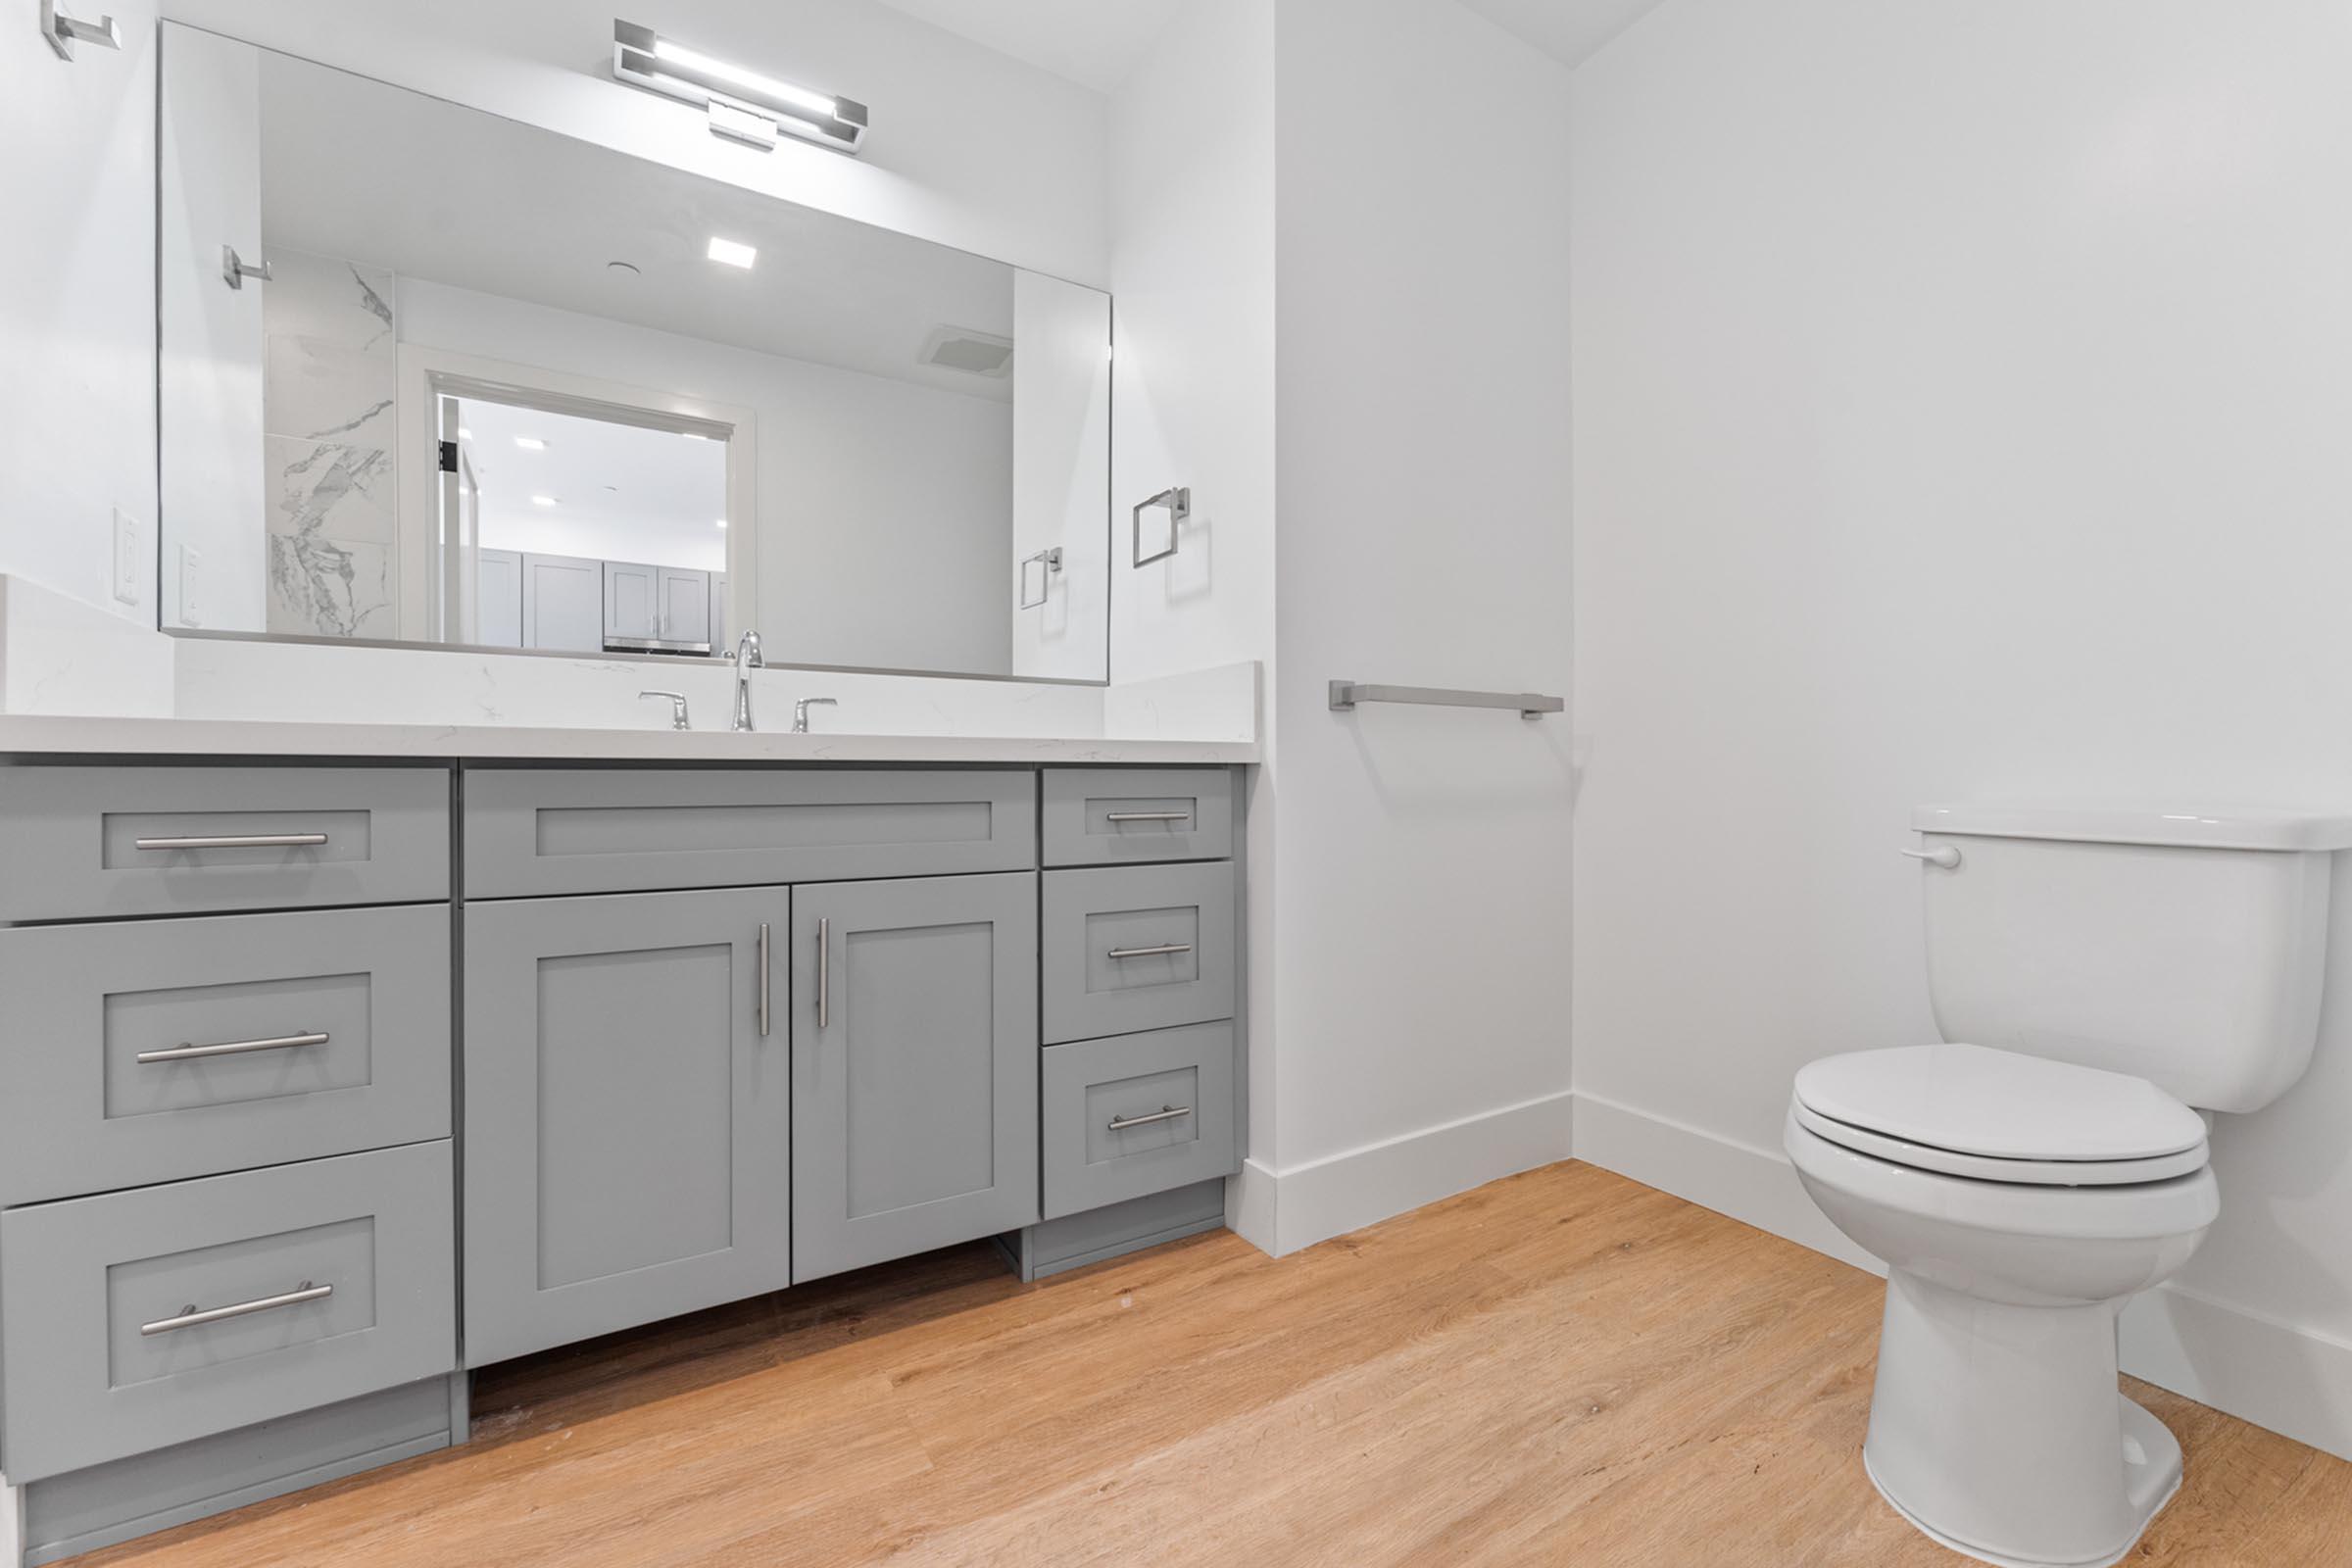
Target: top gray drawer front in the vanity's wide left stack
[(69, 838)]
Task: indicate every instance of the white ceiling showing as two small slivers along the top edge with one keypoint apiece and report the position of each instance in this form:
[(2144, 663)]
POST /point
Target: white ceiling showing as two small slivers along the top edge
[(1097, 43)]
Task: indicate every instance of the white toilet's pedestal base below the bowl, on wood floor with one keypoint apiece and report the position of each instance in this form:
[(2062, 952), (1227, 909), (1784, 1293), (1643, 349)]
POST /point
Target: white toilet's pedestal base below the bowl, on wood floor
[(2000, 1430)]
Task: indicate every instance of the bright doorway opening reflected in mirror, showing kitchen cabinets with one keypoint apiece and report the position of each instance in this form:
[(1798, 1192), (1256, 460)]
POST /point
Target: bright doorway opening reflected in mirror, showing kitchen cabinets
[(580, 528)]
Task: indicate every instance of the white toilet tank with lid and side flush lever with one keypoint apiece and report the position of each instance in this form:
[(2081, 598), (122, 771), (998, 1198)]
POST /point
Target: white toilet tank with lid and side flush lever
[(2181, 946)]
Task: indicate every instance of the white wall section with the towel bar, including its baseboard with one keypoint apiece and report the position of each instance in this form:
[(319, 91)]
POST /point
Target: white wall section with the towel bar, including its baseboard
[(1424, 492)]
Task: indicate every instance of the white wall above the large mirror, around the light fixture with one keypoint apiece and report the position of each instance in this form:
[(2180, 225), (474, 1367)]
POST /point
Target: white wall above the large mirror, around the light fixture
[(968, 147)]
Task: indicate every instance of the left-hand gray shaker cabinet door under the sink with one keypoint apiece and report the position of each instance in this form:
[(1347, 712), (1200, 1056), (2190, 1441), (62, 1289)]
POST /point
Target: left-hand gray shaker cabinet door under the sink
[(629, 1120)]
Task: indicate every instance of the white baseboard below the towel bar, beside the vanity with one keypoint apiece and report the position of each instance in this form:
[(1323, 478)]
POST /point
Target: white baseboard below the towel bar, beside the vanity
[(1283, 1212)]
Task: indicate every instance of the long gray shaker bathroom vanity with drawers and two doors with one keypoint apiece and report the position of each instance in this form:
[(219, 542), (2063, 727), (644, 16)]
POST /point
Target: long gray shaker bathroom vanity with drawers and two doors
[(330, 1080)]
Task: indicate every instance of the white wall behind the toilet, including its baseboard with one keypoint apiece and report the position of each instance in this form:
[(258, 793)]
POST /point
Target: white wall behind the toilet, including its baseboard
[(1963, 403)]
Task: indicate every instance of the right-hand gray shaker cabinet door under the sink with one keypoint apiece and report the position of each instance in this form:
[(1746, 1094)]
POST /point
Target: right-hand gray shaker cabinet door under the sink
[(914, 1066)]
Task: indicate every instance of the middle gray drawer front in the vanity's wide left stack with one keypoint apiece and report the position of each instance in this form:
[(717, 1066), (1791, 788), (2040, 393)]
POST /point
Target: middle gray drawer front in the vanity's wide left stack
[(81, 1113)]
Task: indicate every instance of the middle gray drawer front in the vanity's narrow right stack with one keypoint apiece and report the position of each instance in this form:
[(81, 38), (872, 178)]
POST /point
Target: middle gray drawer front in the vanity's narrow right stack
[(1132, 911)]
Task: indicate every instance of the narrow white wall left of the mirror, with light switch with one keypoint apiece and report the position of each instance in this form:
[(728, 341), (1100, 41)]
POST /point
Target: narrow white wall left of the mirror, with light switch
[(79, 309)]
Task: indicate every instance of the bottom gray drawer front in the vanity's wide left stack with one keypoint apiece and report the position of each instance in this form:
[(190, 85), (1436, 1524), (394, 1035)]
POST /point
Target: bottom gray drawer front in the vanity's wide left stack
[(79, 1280)]
